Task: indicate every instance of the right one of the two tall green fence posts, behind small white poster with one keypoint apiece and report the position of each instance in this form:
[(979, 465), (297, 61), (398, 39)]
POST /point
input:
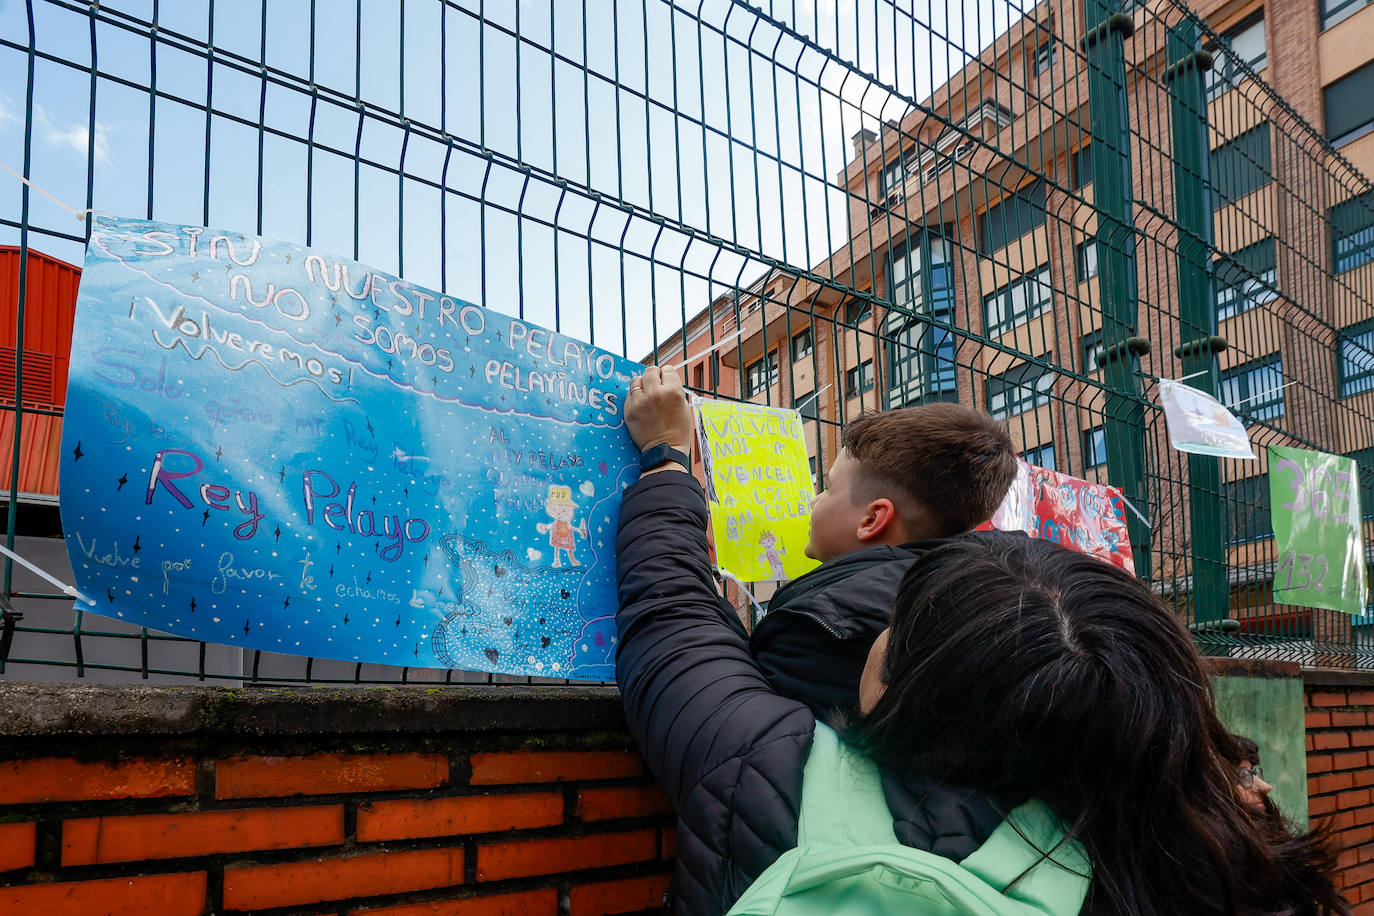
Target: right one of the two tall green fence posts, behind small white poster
[(1197, 319)]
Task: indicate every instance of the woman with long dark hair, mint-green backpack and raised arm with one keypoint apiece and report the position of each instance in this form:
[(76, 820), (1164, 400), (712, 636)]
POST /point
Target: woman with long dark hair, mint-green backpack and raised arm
[(1027, 700)]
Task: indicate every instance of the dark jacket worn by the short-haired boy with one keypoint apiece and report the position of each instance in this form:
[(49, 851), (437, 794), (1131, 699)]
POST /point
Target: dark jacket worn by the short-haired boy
[(820, 628)]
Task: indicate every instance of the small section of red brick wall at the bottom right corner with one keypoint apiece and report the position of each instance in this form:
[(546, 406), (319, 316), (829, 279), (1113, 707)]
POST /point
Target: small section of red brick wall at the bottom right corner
[(1340, 770)]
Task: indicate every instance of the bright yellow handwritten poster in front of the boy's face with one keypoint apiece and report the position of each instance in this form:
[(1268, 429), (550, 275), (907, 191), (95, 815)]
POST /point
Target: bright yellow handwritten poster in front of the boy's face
[(759, 483)]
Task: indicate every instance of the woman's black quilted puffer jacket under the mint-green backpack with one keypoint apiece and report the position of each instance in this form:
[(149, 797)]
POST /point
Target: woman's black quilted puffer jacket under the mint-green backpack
[(726, 748)]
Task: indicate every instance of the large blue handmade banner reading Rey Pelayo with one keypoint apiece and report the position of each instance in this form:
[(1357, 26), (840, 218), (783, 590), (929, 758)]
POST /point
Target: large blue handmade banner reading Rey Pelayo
[(284, 450)]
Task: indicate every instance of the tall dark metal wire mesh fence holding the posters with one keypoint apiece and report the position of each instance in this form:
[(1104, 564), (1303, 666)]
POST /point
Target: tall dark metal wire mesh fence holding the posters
[(1038, 211)]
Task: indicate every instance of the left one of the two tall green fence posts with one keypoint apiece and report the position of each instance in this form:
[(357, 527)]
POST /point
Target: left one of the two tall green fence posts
[(1104, 47)]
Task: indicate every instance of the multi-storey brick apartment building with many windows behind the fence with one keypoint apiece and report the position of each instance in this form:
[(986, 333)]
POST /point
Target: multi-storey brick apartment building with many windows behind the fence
[(972, 268)]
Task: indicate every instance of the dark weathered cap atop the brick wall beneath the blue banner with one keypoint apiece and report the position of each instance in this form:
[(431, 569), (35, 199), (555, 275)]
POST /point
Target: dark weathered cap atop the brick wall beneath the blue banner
[(43, 709)]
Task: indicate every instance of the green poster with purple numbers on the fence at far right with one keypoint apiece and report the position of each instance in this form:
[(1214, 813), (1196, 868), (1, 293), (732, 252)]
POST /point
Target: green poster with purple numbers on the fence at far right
[(1317, 531)]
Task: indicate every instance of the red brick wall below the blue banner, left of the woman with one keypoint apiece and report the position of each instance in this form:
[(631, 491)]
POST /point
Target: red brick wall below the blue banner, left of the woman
[(425, 825)]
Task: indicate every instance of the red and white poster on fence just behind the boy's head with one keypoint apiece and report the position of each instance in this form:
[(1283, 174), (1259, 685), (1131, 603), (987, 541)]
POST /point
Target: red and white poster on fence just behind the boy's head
[(1067, 510)]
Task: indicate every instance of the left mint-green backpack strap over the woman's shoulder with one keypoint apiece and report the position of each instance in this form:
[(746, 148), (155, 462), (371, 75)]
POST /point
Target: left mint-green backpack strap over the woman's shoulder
[(842, 797)]
